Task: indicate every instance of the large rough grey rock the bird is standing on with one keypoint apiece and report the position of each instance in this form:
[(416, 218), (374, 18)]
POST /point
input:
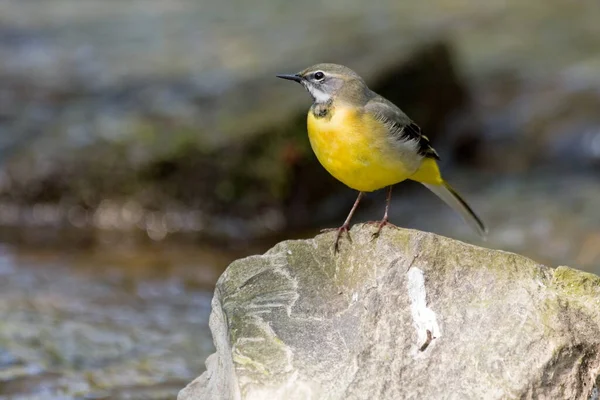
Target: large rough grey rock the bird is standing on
[(411, 315)]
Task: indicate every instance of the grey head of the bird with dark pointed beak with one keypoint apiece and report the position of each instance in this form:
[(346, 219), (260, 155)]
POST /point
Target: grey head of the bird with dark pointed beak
[(327, 81)]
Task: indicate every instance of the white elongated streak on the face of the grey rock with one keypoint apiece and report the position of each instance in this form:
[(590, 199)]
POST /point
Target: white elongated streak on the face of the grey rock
[(424, 319)]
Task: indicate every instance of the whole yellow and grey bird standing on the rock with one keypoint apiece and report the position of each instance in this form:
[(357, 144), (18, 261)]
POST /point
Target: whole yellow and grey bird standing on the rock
[(368, 143)]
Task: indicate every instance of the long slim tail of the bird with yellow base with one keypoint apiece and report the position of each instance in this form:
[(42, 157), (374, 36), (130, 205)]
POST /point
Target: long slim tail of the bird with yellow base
[(429, 175)]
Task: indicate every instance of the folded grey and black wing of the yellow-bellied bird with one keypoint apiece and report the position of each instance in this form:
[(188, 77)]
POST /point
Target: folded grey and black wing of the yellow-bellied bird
[(400, 125)]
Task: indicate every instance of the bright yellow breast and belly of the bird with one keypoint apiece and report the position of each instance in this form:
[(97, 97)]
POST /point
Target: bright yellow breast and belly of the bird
[(357, 150)]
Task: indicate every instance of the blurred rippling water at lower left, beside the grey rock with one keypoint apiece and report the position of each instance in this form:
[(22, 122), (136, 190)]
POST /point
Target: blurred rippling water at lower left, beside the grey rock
[(91, 324)]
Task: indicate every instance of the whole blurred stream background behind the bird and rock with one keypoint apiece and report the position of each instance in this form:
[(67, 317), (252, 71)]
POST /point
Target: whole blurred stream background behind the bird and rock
[(146, 144)]
